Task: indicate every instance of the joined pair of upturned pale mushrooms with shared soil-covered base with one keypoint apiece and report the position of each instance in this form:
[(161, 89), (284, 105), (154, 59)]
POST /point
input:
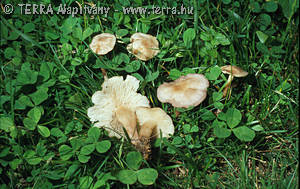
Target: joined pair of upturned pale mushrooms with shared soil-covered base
[(118, 108)]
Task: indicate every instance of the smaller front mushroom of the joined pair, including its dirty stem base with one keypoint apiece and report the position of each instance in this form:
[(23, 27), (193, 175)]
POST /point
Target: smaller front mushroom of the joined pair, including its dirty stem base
[(153, 122)]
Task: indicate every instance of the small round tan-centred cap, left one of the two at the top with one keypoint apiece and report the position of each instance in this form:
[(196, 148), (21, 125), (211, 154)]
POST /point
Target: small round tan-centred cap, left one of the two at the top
[(103, 43)]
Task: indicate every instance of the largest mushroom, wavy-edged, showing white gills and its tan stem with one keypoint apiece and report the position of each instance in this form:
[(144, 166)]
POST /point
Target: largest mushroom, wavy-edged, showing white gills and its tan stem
[(115, 105)]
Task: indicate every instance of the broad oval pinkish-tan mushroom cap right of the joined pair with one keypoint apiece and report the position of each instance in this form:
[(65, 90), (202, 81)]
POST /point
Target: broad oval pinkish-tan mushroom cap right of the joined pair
[(189, 90)]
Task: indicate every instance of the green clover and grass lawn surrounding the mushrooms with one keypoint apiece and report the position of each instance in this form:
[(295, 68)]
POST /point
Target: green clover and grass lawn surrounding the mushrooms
[(48, 75)]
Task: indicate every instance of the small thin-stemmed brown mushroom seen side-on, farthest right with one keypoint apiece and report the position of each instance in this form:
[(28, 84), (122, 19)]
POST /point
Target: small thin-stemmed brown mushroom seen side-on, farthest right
[(233, 71)]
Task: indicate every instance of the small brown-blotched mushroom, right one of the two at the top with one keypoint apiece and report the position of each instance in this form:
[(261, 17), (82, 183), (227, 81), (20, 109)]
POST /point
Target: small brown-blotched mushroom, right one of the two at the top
[(143, 46)]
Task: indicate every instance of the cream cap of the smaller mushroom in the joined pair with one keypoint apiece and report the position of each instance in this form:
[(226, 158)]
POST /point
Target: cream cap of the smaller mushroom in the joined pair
[(155, 120)]
